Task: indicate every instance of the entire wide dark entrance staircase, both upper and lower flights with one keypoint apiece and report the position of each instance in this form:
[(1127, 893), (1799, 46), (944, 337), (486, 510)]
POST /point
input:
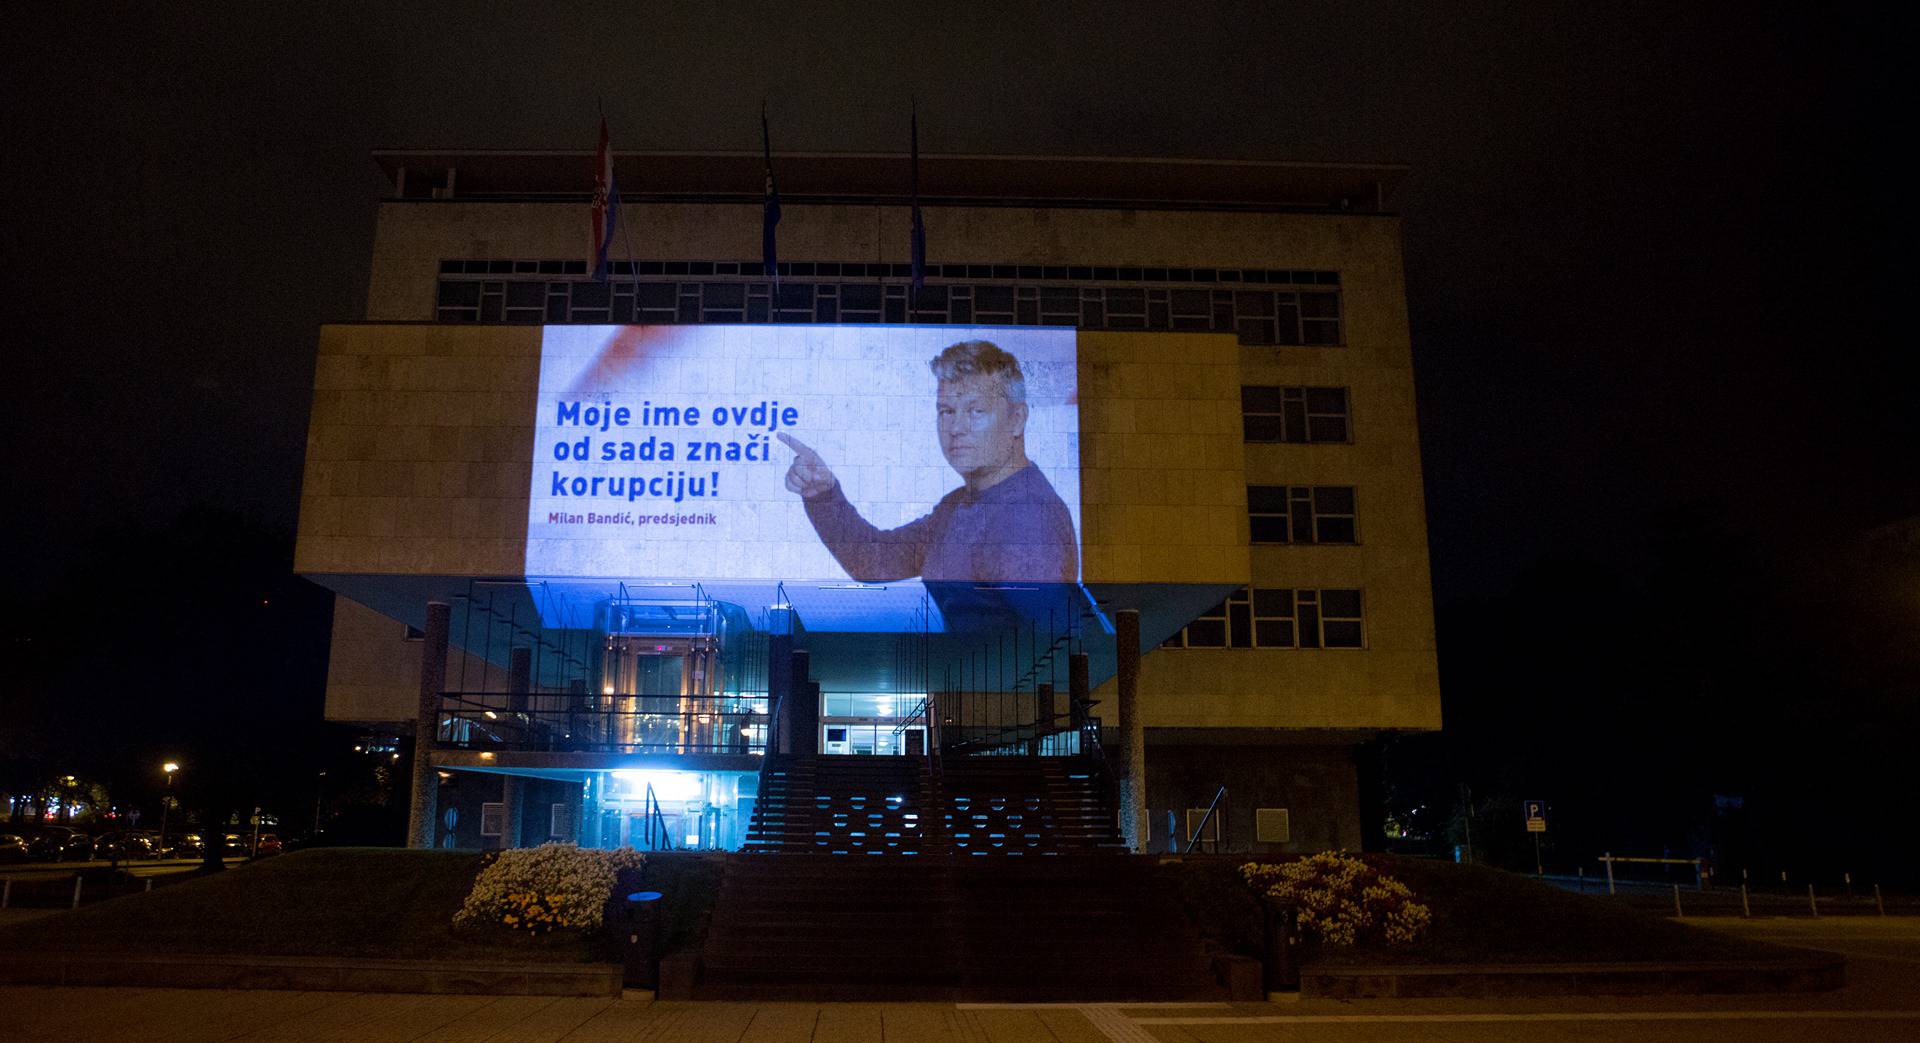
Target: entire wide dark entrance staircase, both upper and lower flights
[(1001, 879)]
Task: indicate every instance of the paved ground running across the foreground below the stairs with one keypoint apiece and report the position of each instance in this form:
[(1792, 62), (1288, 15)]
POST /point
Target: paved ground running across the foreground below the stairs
[(1881, 1004)]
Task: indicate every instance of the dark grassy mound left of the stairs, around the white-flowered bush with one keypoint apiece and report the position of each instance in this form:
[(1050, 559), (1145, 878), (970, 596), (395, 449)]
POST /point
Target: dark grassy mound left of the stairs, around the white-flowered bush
[(339, 902)]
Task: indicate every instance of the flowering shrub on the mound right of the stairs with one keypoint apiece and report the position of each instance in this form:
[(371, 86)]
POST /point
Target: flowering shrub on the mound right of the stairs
[(1341, 900)]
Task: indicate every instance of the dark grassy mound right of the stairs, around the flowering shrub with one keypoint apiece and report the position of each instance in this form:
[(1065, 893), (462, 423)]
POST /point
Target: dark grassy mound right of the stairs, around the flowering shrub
[(1481, 917)]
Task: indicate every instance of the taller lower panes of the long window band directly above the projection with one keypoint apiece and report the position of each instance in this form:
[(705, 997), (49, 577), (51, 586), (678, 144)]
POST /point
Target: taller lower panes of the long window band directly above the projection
[(1257, 316)]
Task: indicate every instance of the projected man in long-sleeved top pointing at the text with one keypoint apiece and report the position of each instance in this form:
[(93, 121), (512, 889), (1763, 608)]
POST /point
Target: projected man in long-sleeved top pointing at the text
[(1003, 525)]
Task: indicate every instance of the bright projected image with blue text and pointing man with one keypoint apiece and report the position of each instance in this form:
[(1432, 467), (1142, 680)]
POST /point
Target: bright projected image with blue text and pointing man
[(940, 456)]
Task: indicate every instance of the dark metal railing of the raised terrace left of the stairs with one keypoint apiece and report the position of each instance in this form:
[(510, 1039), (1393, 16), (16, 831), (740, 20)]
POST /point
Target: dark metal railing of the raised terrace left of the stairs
[(573, 723)]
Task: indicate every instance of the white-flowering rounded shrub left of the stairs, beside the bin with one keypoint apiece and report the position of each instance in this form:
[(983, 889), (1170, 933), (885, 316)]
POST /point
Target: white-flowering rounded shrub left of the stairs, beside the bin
[(550, 886)]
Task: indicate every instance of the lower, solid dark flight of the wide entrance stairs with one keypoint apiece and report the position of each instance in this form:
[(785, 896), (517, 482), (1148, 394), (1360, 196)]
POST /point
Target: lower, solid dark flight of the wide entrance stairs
[(953, 929)]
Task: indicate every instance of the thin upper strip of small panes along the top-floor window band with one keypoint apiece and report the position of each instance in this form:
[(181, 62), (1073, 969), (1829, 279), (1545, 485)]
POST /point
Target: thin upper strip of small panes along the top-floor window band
[(844, 270)]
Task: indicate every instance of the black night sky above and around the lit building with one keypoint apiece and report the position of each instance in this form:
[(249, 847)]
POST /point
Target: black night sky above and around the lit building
[(1648, 247)]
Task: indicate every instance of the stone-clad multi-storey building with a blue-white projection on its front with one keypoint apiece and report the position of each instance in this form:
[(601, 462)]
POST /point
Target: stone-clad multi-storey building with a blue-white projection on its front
[(1239, 431)]
